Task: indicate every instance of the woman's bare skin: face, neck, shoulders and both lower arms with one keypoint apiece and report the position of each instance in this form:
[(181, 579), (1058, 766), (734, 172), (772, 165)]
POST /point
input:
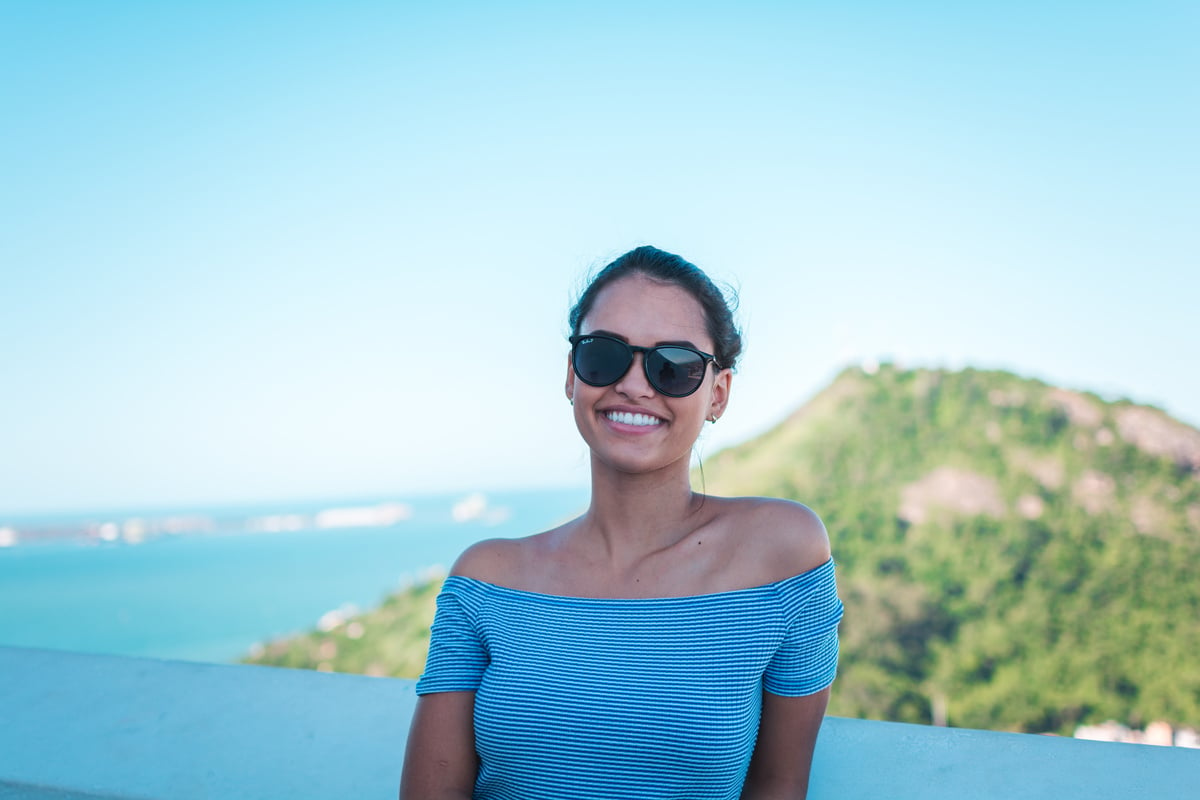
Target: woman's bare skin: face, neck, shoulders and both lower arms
[(646, 534)]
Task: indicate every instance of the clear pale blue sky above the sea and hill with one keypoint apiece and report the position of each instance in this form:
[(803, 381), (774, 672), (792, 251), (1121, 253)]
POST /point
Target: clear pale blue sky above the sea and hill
[(269, 250)]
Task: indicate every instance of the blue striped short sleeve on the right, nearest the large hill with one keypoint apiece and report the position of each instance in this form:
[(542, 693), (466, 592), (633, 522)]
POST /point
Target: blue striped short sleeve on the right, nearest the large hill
[(807, 659)]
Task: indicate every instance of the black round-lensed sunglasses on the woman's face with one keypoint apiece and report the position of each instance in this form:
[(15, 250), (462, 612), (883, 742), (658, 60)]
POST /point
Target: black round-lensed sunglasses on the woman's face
[(674, 370)]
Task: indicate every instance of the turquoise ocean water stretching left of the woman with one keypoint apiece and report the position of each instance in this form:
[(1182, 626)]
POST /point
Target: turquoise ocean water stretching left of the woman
[(211, 597)]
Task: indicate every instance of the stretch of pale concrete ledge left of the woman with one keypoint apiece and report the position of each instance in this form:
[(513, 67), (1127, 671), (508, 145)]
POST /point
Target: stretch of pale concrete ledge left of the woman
[(113, 727)]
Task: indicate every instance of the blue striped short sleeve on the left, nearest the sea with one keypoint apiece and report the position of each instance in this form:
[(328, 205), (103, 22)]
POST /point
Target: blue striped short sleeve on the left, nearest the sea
[(458, 655)]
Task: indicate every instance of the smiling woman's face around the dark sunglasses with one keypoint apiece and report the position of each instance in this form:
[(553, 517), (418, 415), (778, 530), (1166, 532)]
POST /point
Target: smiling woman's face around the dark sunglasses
[(629, 425)]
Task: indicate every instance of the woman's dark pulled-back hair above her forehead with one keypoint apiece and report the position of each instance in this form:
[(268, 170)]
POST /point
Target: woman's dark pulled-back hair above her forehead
[(668, 268)]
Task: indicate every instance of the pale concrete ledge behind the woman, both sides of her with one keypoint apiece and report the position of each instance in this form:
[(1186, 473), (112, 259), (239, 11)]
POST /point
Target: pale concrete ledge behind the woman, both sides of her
[(85, 727)]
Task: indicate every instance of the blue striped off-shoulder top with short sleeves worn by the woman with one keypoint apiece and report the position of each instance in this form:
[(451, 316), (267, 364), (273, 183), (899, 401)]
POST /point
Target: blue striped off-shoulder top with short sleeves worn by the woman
[(580, 697)]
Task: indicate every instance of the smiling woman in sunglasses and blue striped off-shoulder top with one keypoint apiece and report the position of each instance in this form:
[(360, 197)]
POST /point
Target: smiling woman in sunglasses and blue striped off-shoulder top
[(664, 645)]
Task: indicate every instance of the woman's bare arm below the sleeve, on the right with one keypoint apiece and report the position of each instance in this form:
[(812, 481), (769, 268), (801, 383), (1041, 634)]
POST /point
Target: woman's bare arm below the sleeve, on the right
[(783, 756)]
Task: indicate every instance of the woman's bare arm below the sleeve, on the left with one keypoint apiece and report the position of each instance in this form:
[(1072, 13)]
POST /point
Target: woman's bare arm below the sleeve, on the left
[(441, 761)]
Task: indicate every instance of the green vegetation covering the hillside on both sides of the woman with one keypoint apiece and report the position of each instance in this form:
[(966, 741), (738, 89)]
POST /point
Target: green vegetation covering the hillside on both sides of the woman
[(1011, 555)]
